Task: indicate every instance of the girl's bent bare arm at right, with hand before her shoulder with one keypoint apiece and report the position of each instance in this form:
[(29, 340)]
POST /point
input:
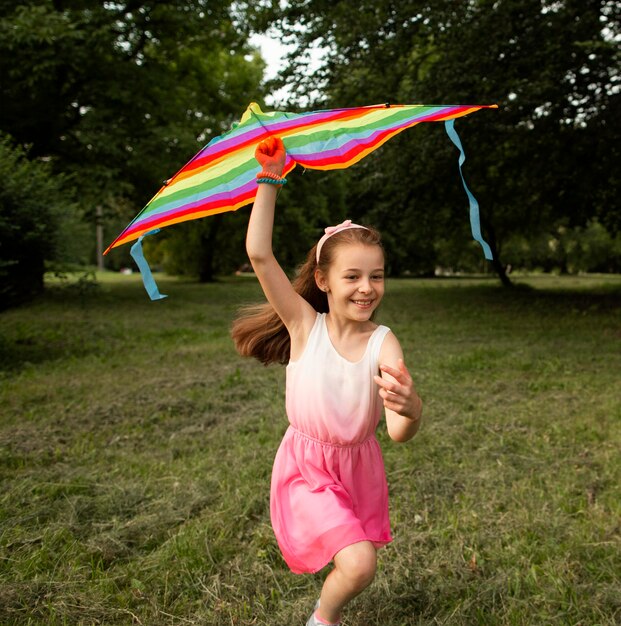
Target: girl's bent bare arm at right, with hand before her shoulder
[(402, 404)]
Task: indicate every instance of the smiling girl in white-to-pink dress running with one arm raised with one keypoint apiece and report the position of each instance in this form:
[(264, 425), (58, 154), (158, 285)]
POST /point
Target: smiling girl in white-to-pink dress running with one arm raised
[(329, 499)]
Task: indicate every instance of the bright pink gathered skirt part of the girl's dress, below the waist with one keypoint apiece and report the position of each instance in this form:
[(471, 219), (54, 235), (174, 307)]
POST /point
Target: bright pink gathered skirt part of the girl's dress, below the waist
[(325, 497)]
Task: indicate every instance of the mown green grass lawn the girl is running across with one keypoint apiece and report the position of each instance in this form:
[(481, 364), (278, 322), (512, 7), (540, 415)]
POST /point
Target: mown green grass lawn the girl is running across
[(136, 449)]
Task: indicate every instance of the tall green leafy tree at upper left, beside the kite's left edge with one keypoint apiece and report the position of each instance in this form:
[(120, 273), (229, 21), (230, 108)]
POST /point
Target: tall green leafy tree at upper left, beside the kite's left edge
[(118, 95)]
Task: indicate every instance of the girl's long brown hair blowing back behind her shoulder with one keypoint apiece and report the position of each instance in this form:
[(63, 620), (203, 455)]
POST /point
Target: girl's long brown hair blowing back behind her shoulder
[(259, 332)]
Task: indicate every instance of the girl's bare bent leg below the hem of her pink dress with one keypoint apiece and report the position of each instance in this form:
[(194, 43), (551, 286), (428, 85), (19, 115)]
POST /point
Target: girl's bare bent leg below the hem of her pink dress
[(354, 570)]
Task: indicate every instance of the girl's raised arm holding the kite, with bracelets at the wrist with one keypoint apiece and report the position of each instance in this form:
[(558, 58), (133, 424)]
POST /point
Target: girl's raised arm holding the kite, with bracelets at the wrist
[(295, 312)]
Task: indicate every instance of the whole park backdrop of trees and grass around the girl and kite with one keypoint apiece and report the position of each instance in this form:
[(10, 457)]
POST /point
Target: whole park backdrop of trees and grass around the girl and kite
[(136, 446)]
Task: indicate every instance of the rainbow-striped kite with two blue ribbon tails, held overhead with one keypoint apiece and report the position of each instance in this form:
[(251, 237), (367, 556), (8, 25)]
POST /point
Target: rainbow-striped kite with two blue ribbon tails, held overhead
[(222, 176)]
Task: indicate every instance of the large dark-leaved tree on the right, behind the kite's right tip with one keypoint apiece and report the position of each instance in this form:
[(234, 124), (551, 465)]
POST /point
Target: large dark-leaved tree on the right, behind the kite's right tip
[(550, 153)]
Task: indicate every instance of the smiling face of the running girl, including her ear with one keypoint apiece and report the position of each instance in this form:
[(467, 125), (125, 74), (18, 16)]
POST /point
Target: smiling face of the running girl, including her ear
[(355, 281)]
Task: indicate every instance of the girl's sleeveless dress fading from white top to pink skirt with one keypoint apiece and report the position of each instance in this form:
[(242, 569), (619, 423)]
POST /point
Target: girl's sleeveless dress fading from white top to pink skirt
[(328, 483)]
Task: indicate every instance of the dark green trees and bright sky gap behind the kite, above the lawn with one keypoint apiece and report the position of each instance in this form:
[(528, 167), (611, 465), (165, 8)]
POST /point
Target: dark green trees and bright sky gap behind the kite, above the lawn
[(102, 101)]
